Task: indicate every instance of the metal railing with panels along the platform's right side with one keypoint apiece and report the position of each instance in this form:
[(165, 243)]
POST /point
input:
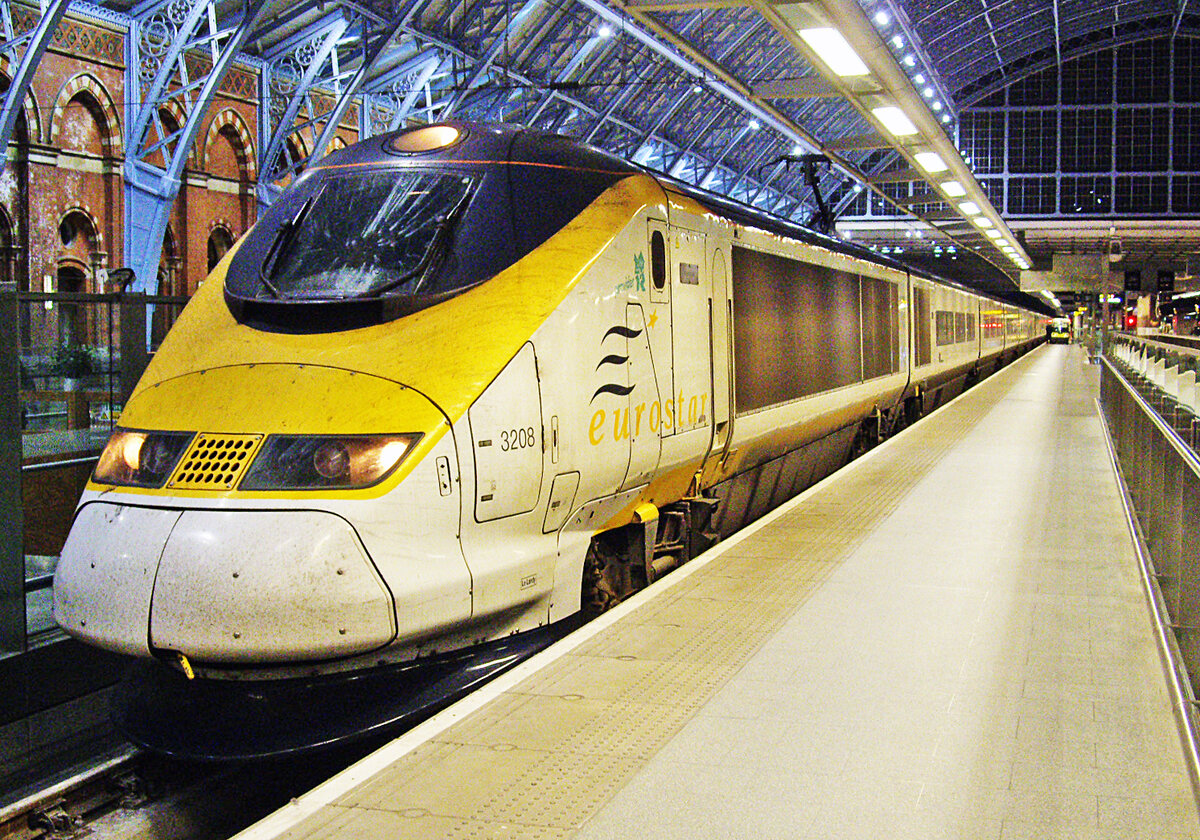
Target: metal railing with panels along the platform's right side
[(1149, 401)]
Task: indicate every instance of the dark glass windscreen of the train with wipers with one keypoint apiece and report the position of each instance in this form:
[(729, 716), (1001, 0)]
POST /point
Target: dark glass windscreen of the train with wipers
[(368, 235)]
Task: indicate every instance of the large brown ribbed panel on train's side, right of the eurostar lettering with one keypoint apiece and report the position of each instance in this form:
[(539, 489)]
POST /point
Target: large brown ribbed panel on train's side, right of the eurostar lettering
[(799, 329)]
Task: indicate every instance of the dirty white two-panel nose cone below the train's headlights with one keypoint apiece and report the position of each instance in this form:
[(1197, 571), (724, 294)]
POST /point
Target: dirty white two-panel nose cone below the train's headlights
[(230, 587)]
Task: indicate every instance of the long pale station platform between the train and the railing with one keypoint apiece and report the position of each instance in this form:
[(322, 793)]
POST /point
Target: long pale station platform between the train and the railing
[(947, 639)]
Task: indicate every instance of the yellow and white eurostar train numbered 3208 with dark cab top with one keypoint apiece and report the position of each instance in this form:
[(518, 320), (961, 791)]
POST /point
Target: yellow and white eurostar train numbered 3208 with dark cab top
[(466, 381)]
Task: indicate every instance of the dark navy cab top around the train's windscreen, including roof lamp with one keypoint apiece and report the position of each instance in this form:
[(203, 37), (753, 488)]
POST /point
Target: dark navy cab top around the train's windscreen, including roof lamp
[(377, 231)]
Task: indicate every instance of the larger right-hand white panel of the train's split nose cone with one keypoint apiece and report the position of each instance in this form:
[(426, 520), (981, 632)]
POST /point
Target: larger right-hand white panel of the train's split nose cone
[(241, 587)]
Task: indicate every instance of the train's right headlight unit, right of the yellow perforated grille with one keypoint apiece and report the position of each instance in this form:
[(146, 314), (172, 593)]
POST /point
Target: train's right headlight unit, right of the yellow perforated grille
[(327, 461)]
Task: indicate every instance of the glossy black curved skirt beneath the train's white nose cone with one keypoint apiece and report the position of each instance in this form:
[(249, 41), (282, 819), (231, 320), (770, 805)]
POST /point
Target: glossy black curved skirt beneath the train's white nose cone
[(160, 710)]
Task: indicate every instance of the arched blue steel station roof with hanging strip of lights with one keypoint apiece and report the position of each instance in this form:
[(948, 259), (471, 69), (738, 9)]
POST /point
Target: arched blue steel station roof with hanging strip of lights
[(728, 95)]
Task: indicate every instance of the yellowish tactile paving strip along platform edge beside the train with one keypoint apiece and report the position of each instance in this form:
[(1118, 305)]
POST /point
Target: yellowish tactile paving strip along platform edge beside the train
[(542, 759)]
